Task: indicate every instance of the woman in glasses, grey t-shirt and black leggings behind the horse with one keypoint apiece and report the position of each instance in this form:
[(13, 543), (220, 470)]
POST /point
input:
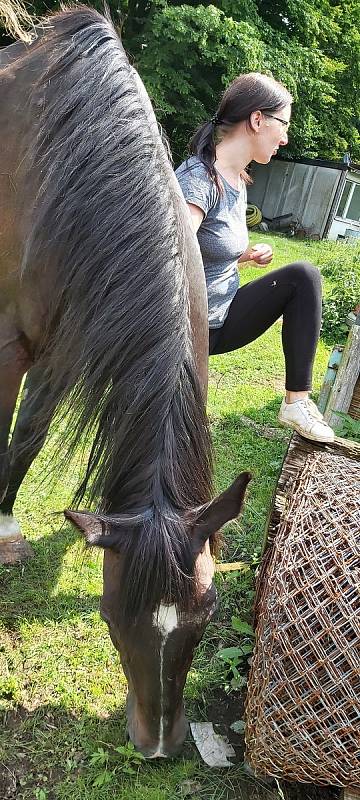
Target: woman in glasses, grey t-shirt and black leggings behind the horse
[(250, 124)]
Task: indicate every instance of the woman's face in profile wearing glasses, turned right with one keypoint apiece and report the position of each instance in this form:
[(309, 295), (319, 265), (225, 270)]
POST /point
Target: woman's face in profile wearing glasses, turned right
[(270, 132)]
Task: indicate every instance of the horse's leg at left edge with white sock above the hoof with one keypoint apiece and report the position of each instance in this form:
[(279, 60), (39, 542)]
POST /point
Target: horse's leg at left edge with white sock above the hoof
[(14, 362)]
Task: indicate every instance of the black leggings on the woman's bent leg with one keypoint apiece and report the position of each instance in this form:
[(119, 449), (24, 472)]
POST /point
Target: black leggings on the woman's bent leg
[(294, 292)]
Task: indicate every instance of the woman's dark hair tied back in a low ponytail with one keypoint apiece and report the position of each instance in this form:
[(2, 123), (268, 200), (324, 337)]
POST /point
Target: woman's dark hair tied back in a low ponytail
[(247, 93)]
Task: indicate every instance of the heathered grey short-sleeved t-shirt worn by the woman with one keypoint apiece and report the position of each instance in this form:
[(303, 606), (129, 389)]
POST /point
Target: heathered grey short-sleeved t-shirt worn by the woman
[(222, 235)]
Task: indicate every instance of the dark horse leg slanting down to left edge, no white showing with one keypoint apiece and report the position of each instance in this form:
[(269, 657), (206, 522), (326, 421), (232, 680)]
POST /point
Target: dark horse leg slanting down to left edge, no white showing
[(27, 440)]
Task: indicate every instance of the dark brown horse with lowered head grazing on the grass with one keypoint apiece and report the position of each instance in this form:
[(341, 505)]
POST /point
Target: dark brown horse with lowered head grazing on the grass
[(103, 304)]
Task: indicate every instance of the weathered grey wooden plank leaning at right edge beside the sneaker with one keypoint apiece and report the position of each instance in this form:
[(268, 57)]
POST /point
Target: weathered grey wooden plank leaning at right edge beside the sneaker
[(341, 394)]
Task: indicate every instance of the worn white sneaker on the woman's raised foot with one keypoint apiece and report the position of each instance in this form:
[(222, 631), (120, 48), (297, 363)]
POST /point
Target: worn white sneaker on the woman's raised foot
[(305, 418)]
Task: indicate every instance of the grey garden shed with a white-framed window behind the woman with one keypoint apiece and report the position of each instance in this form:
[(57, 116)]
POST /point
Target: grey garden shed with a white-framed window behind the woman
[(322, 198)]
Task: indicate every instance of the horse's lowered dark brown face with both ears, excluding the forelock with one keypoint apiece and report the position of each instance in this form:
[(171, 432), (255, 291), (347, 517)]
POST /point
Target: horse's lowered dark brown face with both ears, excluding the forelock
[(156, 648)]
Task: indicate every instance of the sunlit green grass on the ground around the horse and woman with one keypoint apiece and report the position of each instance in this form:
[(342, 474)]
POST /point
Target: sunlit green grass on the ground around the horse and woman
[(62, 691)]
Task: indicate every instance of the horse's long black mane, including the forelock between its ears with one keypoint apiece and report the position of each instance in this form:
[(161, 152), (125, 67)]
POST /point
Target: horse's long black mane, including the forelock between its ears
[(117, 341)]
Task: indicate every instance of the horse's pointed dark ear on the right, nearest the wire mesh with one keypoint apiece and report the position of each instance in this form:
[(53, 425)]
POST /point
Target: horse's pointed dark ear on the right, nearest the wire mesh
[(223, 508)]
